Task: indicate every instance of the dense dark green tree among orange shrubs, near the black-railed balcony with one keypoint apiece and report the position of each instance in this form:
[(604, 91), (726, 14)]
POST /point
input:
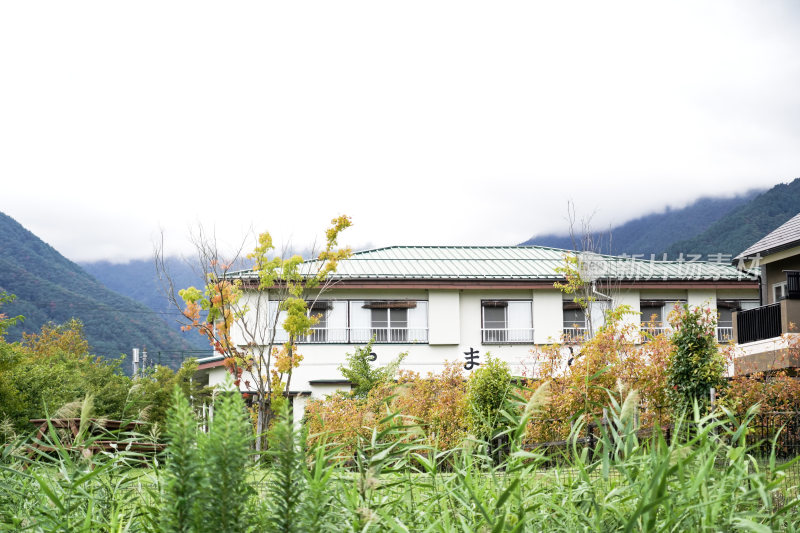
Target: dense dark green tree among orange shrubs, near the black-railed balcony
[(695, 363)]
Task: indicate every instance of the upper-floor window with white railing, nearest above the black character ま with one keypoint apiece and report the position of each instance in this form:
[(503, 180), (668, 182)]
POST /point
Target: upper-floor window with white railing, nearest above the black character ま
[(507, 321)]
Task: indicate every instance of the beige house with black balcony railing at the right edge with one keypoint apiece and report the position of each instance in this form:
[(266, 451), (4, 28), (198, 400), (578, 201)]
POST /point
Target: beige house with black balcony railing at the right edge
[(767, 335)]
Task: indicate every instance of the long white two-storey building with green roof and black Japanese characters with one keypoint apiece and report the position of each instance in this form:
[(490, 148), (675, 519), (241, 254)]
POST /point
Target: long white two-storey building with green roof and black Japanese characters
[(459, 303)]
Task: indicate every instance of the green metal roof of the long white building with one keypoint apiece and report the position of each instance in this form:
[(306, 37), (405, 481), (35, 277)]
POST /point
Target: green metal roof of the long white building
[(515, 263)]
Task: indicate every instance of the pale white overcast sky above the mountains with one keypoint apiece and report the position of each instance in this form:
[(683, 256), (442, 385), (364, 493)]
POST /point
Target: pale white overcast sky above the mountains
[(427, 122)]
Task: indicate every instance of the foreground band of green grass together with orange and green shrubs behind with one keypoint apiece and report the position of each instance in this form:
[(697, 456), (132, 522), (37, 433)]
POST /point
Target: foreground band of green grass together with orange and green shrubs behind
[(438, 453)]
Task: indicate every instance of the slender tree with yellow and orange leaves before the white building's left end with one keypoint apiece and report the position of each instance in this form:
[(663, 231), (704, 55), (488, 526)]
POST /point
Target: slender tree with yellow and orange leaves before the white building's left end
[(232, 311)]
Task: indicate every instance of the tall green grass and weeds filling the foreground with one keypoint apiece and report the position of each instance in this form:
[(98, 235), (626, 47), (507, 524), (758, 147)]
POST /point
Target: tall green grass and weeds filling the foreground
[(706, 479)]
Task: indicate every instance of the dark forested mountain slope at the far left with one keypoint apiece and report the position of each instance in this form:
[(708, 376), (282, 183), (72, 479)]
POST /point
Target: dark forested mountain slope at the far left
[(51, 288)]
